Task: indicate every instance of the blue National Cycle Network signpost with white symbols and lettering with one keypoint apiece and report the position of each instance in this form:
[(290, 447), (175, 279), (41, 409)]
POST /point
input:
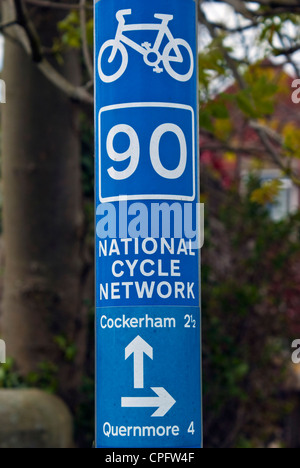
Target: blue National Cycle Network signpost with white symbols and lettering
[(148, 263)]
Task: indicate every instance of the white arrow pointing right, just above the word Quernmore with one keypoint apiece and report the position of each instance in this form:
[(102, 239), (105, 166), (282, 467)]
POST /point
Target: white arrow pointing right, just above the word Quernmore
[(163, 401)]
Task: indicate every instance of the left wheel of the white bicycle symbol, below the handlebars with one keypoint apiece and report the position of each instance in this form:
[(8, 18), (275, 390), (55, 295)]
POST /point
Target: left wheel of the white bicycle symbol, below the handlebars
[(105, 77)]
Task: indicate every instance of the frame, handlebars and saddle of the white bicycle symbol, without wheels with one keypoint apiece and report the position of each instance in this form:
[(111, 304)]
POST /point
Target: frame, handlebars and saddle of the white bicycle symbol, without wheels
[(162, 28)]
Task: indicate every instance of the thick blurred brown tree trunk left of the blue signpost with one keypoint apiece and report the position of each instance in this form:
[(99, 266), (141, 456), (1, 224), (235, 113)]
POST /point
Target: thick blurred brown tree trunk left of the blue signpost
[(43, 320)]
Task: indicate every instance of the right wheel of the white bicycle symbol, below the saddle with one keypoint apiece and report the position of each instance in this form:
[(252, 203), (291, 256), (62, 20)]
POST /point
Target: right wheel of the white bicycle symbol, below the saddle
[(170, 60)]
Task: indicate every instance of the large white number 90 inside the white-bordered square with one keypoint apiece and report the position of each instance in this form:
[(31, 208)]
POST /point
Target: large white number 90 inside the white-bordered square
[(133, 151)]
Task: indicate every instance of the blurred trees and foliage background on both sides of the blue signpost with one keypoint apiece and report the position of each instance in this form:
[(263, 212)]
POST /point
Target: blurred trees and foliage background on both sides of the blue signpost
[(250, 148)]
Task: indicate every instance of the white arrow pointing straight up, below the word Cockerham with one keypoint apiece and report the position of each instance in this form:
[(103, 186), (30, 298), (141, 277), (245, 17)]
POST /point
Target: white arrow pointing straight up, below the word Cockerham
[(138, 347)]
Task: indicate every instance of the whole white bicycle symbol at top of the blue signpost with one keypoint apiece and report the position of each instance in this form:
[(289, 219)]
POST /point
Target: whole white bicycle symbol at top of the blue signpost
[(152, 56)]
